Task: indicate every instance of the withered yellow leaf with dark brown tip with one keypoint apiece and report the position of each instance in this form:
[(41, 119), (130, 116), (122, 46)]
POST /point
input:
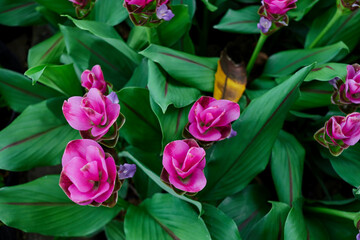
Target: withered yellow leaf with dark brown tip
[(230, 79)]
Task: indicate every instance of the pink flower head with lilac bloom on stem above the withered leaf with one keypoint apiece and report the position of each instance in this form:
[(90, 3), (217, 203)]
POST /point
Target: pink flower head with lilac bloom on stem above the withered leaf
[(273, 14)]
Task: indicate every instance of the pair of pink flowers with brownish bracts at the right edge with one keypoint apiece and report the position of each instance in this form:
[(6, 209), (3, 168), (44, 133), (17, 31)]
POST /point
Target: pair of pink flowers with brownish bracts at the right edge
[(341, 132)]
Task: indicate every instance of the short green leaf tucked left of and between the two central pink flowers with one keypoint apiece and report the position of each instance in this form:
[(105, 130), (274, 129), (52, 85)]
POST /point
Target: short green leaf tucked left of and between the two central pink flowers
[(172, 122)]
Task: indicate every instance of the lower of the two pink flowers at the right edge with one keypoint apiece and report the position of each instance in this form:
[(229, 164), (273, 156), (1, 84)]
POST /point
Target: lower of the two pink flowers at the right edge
[(344, 131)]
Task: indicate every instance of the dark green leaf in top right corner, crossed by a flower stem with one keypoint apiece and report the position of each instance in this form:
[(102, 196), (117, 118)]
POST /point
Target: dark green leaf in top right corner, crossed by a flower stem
[(345, 29)]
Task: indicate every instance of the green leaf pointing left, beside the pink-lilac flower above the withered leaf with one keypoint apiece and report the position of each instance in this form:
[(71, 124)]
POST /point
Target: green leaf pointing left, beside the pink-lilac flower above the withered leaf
[(244, 20)]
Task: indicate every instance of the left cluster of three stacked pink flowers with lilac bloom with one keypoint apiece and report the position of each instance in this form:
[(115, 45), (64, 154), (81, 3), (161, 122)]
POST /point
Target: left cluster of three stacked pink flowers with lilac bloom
[(89, 175)]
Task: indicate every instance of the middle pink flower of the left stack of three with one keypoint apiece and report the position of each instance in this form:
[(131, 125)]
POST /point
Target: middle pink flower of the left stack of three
[(94, 113)]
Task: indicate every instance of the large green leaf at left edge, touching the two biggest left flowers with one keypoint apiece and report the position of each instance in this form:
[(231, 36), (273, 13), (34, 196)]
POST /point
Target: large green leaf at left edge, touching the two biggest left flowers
[(36, 138)]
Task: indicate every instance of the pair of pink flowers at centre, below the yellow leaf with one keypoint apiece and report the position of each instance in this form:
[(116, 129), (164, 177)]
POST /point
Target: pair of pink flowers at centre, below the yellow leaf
[(184, 160)]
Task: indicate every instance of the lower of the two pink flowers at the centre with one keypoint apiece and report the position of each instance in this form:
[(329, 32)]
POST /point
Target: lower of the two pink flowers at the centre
[(184, 162)]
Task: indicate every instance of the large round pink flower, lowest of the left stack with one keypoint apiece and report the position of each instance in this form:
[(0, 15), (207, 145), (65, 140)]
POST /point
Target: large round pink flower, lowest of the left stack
[(89, 174)]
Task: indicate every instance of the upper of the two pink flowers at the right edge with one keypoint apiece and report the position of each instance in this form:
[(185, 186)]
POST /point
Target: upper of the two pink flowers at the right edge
[(352, 84)]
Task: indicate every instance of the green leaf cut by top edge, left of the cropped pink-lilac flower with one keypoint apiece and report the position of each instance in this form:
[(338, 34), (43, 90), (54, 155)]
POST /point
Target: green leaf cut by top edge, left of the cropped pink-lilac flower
[(111, 12)]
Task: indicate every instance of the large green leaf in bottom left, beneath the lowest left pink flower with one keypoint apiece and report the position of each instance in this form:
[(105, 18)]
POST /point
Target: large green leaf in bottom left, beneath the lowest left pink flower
[(42, 207)]
